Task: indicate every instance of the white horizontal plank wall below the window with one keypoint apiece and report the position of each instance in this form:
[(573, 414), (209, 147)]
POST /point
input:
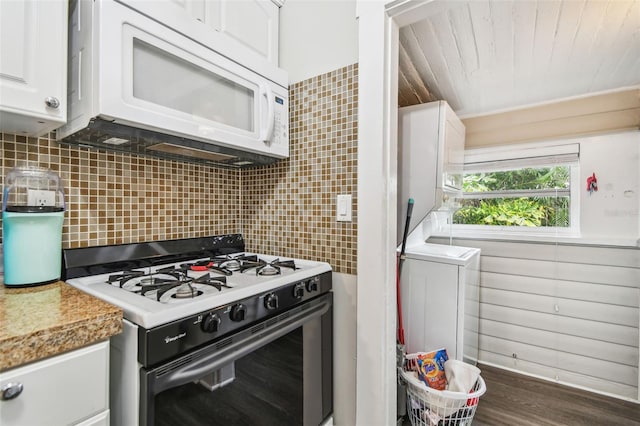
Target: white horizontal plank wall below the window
[(568, 313)]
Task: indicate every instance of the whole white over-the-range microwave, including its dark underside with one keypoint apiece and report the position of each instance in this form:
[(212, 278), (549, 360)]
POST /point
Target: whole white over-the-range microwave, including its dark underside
[(136, 84)]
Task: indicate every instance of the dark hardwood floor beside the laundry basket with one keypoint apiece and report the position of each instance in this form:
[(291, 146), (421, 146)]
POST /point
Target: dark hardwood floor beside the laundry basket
[(514, 399)]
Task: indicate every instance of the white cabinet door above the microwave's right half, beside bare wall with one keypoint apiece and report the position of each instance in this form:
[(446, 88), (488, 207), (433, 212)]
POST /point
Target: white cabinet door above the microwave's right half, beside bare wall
[(254, 23)]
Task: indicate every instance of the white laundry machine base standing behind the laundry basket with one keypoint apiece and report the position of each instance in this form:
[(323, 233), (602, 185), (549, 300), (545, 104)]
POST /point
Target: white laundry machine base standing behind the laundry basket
[(440, 289)]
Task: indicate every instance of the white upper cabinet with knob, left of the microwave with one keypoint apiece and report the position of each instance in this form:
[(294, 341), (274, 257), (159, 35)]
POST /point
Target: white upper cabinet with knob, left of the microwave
[(33, 66)]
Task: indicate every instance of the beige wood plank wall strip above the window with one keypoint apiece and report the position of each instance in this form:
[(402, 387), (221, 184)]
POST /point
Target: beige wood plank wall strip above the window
[(602, 113)]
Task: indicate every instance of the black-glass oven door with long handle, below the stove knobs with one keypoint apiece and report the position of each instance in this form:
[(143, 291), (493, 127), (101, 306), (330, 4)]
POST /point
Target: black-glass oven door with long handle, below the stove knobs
[(276, 372)]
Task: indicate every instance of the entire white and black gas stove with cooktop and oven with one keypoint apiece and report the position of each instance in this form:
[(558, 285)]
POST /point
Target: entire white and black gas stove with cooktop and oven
[(202, 311)]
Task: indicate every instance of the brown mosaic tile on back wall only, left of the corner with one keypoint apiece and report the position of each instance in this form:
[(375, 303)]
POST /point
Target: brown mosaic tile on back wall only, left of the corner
[(115, 198)]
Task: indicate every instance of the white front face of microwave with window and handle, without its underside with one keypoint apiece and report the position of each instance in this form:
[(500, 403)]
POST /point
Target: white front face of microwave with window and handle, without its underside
[(153, 77)]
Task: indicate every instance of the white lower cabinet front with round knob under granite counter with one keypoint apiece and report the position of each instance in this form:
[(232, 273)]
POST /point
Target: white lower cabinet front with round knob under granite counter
[(67, 389)]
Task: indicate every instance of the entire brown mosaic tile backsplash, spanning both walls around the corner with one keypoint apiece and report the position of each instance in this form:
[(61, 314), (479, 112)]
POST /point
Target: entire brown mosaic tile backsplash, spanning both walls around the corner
[(287, 208)]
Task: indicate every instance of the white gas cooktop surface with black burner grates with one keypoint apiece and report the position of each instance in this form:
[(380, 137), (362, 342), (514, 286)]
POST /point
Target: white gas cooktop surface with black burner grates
[(158, 301)]
